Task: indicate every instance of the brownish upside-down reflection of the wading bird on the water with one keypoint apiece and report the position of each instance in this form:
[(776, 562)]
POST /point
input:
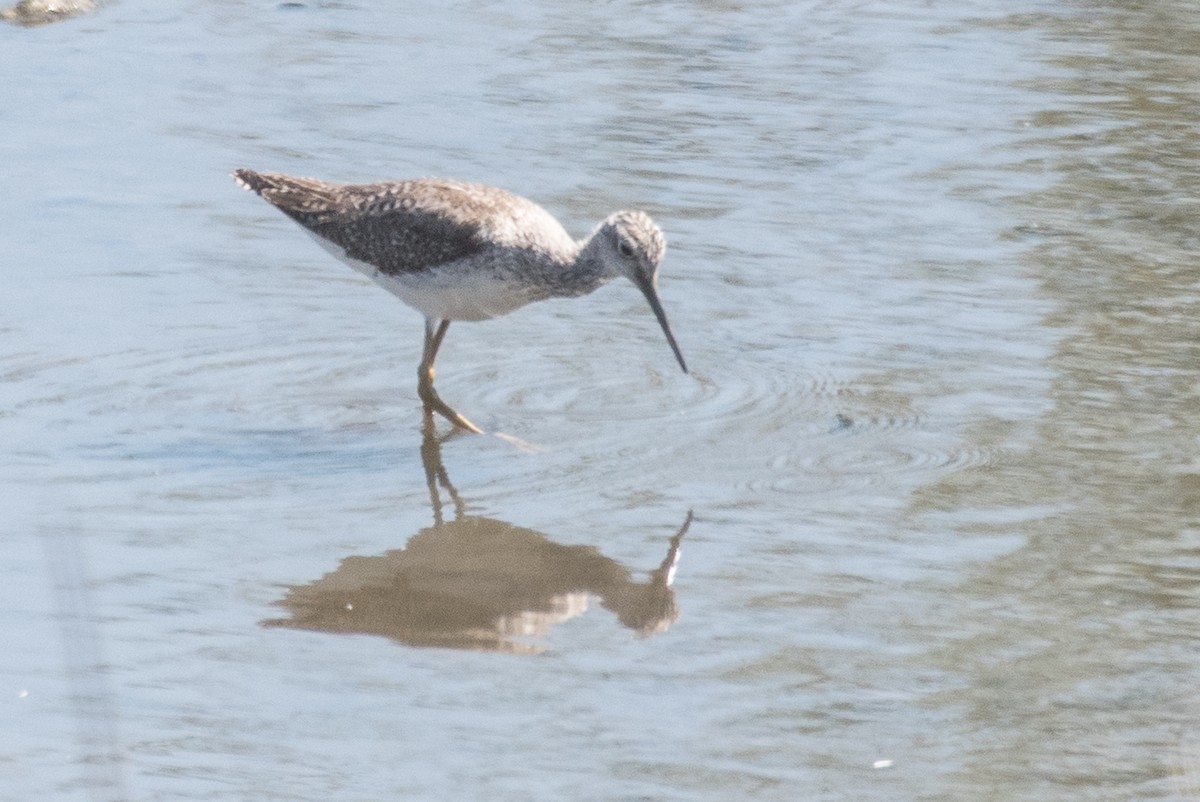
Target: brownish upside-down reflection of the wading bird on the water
[(478, 583)]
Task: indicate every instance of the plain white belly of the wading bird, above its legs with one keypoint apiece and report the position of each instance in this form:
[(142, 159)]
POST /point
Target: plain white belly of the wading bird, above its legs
[(452, 292)]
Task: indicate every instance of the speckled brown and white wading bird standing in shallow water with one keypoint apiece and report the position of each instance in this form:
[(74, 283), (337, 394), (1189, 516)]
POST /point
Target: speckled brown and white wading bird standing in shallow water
[(460, 252)]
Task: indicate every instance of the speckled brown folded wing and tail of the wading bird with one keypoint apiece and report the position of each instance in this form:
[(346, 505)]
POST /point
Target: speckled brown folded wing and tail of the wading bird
[(400, 228)]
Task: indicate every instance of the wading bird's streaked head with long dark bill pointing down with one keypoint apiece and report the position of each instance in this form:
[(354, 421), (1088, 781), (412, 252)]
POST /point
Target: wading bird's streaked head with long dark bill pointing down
[(632, 246)]
